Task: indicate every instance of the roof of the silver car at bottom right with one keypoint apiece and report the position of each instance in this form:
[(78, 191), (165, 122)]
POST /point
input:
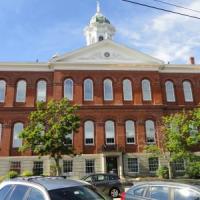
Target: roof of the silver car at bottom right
[(167, 183)]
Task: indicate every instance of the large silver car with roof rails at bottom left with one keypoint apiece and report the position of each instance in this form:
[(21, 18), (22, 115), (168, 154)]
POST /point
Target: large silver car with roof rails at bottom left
[(47, 188)]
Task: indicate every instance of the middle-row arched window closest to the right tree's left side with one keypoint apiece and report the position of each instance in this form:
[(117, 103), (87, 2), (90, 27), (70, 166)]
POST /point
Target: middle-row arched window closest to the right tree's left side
[(150, 131)]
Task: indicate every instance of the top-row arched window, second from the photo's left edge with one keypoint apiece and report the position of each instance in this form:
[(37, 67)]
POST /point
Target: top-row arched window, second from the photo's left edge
[(21, 91)]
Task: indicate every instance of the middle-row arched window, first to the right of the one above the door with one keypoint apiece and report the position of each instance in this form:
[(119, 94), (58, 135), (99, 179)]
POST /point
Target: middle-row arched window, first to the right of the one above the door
[(130, 131)]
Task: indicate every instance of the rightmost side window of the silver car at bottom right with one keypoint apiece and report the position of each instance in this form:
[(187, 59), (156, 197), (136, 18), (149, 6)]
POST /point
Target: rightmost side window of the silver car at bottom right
[(186, 194)]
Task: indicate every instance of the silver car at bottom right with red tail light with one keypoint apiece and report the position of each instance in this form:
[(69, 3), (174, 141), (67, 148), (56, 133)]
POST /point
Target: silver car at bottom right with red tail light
[(162, 191)]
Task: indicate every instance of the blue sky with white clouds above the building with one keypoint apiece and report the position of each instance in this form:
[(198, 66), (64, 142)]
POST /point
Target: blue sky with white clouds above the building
[(33, 30)]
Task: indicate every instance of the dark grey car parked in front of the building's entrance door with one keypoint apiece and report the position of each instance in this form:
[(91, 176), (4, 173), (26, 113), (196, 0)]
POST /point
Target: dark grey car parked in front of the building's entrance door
[(107, 183)]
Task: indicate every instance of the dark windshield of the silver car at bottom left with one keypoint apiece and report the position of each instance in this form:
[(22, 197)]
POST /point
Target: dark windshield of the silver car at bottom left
[(75, 193)]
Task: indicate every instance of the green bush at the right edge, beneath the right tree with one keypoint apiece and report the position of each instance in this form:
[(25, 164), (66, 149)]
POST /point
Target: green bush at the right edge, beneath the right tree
[(193, 169)]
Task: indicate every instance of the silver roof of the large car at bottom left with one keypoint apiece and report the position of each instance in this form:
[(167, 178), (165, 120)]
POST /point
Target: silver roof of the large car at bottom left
[(48, 183)]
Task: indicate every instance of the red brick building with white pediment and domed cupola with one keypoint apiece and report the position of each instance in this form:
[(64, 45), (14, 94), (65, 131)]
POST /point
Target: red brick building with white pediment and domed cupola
[(122, 95)]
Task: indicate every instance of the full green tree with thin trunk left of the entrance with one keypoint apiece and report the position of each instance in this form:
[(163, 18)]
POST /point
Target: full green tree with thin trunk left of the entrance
[(47, 130)]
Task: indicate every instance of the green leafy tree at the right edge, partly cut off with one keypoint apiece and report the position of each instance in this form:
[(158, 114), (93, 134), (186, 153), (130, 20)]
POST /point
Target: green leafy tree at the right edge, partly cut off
[(180, 134)]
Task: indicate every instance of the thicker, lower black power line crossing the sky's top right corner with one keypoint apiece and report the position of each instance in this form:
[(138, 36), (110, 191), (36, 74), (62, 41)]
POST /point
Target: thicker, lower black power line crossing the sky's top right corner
[(162, 9)]
